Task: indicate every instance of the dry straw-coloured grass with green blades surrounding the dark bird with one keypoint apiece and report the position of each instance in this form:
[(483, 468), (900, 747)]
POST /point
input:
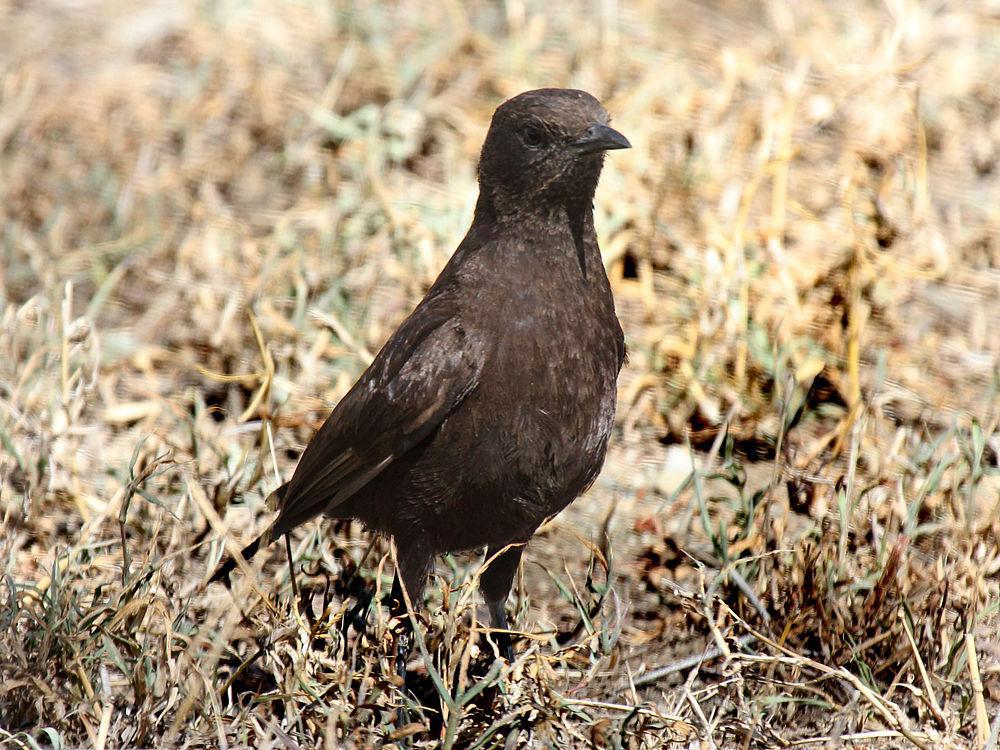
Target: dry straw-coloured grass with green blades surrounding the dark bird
[(212, 214)]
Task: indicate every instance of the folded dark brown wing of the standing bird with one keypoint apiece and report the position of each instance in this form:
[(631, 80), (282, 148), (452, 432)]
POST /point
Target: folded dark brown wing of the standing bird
[(421, 375)]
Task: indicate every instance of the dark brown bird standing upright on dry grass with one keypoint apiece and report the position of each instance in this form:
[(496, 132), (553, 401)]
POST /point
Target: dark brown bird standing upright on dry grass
[(489, 409)]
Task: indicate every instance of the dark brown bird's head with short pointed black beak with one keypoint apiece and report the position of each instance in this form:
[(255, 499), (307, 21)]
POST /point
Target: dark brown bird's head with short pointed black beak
[(544, 150)]
